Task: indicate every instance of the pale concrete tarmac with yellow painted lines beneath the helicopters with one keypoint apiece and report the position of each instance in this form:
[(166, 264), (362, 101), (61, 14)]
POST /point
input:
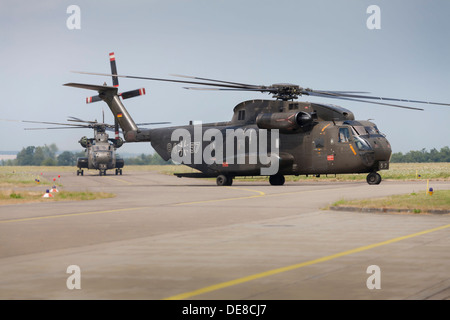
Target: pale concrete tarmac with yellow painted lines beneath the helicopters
[(163, 237)]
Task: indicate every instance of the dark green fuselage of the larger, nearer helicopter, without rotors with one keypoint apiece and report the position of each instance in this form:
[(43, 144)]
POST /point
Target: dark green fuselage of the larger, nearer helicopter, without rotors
[(312, 139)]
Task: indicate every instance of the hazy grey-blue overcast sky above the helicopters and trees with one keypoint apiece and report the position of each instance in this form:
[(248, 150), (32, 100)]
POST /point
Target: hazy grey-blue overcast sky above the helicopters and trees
[(322, 44)]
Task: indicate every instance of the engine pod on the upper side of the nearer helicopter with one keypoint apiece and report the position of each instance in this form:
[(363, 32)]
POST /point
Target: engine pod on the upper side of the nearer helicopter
[(286, 122)]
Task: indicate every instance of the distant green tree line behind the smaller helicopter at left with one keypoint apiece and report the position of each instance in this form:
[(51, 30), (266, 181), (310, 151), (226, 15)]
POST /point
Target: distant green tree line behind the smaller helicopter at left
[(47, 156)]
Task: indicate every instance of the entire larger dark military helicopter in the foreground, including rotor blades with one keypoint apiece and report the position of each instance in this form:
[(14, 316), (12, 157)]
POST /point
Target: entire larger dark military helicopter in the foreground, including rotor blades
[(305, 138)]
